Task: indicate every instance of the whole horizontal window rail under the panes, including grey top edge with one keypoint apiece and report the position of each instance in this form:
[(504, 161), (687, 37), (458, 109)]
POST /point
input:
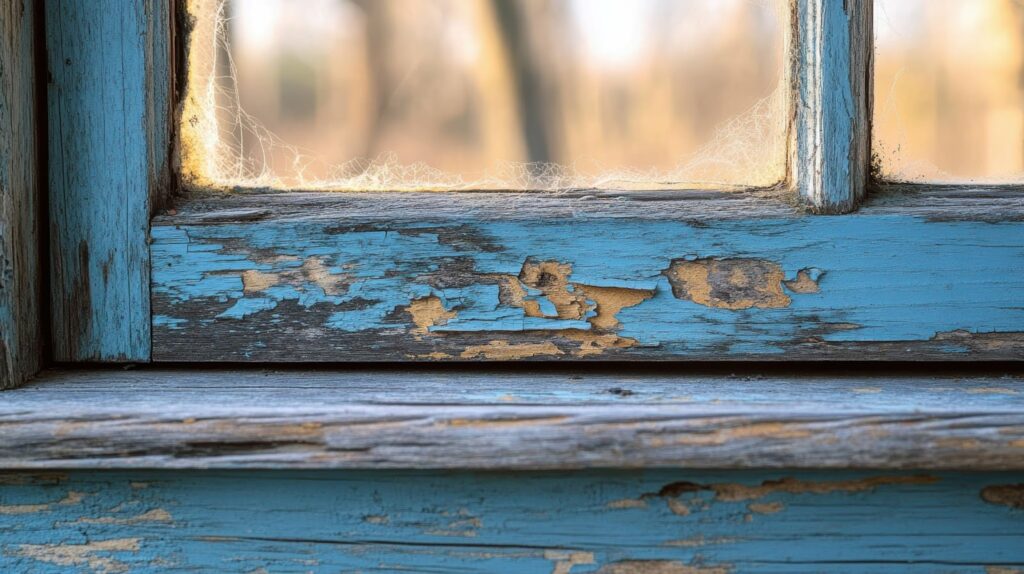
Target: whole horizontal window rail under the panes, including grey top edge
[(584, 277)]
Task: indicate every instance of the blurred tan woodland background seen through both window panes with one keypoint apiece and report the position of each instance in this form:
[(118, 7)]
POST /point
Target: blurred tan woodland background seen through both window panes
[(593, 94)]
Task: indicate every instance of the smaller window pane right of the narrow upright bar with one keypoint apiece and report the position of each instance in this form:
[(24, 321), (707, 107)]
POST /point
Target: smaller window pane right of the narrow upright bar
[(950, 91)]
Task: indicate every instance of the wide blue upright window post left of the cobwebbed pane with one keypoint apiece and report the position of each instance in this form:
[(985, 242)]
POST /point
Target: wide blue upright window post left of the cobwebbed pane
[(109, 140)]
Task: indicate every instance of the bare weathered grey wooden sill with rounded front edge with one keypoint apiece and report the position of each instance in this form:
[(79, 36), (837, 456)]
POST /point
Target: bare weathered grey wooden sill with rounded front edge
[(510, 421)]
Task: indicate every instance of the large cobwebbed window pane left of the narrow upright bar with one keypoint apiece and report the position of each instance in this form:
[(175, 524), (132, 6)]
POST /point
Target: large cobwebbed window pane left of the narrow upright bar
[(493, 95)]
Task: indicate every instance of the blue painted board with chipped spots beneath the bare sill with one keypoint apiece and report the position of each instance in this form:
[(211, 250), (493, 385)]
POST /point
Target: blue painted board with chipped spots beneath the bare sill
[(664, 522)]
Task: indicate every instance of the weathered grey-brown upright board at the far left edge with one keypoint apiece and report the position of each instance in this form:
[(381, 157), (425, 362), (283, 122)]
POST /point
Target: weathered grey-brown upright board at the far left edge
[(20, 295)]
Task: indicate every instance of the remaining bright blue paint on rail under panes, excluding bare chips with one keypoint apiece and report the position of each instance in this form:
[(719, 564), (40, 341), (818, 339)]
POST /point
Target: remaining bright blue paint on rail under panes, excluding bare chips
[(882, 278)]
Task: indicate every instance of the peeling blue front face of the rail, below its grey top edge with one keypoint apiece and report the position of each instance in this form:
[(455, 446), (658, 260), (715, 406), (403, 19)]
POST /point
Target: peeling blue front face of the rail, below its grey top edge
[(525, 288)]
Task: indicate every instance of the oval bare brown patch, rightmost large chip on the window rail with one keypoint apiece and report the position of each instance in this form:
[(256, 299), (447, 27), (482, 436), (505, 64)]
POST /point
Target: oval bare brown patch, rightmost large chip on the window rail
[(730, 284)]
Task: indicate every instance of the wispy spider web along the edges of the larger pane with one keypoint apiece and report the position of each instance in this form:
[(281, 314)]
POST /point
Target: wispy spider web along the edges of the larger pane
[(223, 147)]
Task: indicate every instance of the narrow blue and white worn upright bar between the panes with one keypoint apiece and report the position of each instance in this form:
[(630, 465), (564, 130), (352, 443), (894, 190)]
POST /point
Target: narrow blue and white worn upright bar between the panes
[(831, 162)]
